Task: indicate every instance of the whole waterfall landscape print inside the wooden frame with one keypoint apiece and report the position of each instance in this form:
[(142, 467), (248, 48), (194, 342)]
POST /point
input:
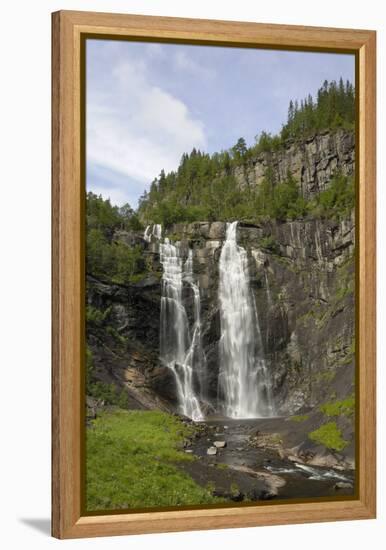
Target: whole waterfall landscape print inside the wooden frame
[(220, 276)]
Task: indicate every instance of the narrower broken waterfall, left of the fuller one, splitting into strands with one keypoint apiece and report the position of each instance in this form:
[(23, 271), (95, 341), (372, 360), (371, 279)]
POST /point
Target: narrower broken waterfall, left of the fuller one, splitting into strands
[(180, 348)]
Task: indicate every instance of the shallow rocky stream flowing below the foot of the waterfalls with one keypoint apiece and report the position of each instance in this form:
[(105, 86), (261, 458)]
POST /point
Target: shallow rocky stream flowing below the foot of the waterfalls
[(252, 467)]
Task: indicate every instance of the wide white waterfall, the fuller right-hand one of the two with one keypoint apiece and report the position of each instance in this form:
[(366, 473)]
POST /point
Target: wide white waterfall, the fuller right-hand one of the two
[(244, 382)]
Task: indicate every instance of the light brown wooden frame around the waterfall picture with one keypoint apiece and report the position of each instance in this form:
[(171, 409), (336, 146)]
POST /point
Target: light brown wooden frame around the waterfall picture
[(69, 27)]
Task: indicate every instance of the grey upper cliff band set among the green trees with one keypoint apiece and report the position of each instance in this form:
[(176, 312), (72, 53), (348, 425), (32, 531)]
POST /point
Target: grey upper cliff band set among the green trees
[(312, 162)]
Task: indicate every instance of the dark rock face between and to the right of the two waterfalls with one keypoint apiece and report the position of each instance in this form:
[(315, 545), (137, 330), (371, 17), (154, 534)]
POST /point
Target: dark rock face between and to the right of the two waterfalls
[(304, 292)]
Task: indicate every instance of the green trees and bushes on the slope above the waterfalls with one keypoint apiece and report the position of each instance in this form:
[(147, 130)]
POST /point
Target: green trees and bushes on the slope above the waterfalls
[(204, 186)]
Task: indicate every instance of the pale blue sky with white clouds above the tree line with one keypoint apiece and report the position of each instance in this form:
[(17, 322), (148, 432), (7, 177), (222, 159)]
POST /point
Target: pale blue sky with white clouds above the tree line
[(148, 103)]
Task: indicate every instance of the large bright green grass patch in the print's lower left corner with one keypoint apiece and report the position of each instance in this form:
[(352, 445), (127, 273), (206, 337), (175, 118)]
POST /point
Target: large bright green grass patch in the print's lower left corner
[(131, 462)]
